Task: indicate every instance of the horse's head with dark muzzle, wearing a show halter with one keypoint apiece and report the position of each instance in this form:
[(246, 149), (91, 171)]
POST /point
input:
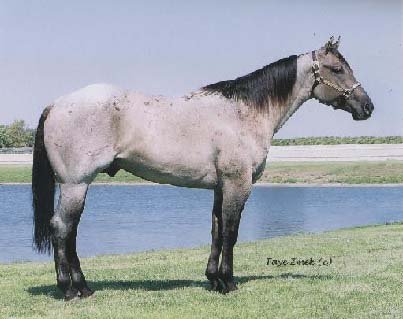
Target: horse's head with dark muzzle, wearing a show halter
[(336, 85)]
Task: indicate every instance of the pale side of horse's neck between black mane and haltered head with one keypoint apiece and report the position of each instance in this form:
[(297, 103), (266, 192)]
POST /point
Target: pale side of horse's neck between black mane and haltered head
[(300, 93)]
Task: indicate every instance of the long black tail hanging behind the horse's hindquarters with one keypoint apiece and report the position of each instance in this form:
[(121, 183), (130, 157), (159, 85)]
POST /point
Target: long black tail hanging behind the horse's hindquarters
[(43, 190)]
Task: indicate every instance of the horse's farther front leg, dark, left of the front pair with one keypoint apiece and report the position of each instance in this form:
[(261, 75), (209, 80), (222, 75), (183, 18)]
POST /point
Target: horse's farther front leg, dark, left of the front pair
[(216, 242)]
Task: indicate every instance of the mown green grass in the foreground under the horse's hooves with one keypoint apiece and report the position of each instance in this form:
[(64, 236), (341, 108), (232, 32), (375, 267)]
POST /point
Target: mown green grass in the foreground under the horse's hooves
[(364, 281)]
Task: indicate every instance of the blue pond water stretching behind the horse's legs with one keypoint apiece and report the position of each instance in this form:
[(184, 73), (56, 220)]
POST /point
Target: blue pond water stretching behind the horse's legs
[(122, 219)]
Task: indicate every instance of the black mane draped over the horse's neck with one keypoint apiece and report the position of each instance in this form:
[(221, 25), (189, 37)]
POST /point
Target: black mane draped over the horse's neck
[(274, 82)]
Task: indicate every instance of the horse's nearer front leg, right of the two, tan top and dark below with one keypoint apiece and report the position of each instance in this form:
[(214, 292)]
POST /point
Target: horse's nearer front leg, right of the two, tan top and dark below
[(235, 194)]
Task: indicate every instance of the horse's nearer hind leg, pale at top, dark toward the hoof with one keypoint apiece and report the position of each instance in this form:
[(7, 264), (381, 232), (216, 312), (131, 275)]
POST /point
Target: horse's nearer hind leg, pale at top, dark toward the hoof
[(64, 224)]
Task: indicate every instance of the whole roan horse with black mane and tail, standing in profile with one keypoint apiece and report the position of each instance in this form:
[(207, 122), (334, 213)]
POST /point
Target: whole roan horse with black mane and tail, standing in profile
[(216, 138)]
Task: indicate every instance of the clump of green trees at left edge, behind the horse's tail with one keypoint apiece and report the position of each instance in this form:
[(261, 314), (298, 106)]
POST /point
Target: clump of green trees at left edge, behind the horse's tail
[(17, 134)]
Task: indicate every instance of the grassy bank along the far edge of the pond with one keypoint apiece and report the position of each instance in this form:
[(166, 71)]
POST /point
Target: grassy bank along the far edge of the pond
[(386, 172)]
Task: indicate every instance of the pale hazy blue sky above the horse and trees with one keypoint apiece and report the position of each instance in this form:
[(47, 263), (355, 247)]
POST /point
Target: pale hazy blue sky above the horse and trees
[(51, 48)]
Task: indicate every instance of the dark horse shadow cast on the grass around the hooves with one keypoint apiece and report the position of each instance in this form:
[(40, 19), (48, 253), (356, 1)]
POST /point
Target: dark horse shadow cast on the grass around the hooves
[(158, 285)]
